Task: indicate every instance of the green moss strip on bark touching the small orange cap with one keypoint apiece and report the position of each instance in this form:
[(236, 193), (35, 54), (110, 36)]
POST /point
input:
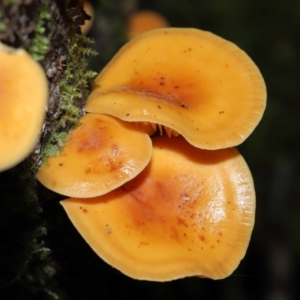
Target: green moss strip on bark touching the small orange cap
[(74, 88)]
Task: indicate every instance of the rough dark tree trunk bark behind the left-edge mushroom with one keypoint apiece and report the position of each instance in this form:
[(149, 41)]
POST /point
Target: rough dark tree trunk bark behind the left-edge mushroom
[(46, 29)]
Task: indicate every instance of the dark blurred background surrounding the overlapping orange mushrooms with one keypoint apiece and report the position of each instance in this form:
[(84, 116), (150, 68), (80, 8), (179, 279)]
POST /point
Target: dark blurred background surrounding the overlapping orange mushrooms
[(269, 31)]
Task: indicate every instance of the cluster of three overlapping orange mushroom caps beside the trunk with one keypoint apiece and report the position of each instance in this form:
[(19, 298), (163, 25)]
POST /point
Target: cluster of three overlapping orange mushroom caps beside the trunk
[(155, 185)]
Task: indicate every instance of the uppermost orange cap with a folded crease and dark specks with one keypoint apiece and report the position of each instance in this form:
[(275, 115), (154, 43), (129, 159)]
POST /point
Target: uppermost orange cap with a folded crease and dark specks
[(189, 80)]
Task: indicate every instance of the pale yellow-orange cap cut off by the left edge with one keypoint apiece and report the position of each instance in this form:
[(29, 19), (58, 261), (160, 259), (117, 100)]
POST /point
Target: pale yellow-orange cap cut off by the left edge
[(23, 100)]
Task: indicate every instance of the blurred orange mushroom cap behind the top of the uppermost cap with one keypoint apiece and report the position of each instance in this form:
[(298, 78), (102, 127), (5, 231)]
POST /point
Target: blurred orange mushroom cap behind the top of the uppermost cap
[(144, 20)]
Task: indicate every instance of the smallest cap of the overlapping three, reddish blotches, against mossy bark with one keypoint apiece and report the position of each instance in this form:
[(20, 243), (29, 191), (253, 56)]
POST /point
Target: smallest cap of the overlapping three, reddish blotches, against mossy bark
[(100, 155)]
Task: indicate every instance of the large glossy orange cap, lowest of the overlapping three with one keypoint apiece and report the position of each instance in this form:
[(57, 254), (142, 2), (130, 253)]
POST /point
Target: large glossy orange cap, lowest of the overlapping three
[(189, 213)]
